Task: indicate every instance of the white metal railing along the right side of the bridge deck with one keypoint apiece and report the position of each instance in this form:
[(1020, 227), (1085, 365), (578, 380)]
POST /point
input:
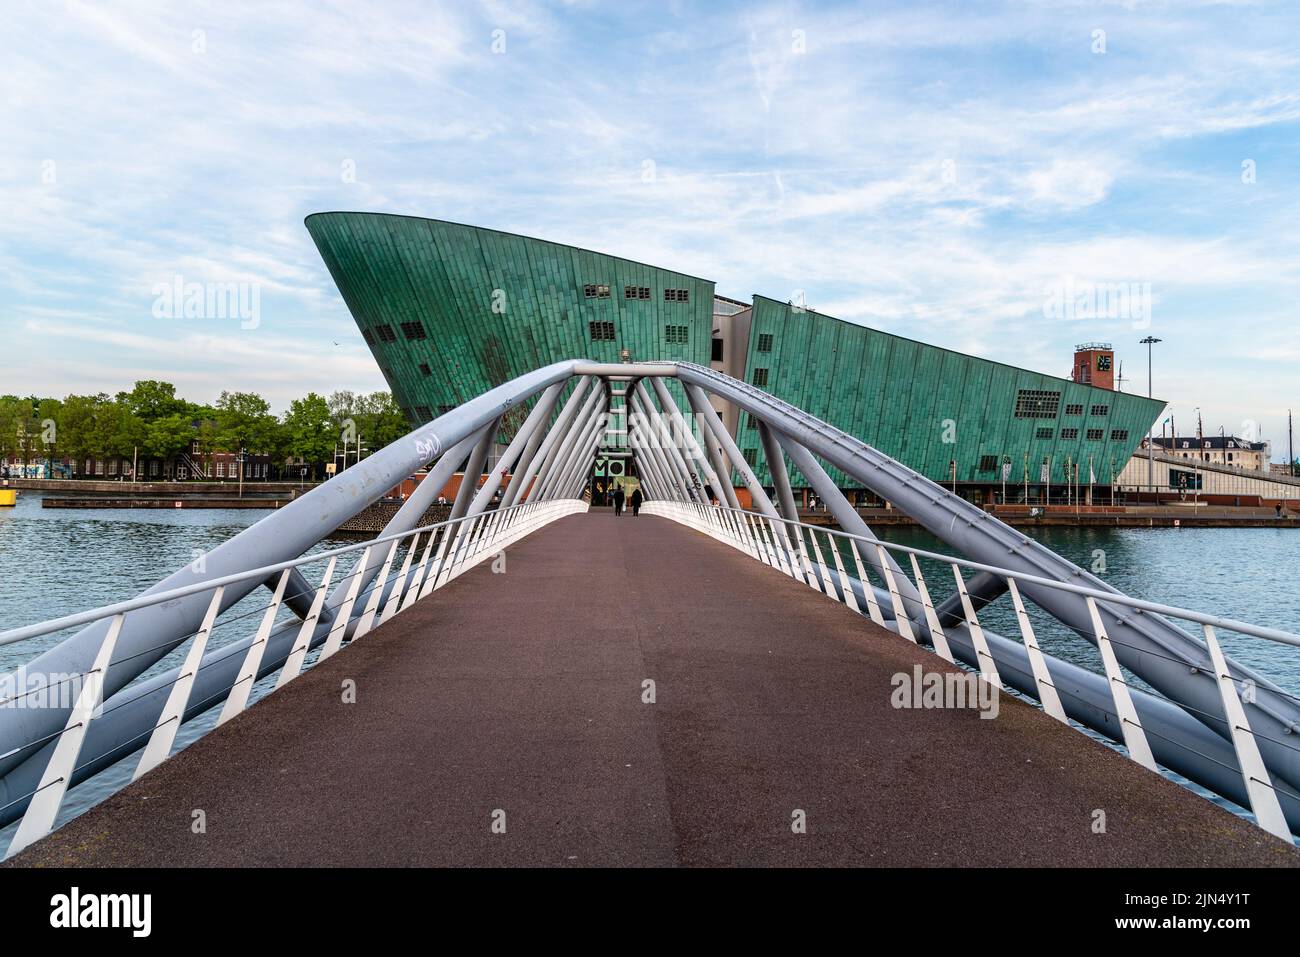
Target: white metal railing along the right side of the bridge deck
[(794, 549)]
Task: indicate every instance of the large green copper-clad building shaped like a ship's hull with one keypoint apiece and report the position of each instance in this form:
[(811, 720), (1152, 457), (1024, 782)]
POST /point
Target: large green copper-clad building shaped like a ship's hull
[(450, 311)]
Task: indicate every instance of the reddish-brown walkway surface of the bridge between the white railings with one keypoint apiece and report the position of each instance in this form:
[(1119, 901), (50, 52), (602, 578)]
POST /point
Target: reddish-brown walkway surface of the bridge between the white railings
[(522, 692)]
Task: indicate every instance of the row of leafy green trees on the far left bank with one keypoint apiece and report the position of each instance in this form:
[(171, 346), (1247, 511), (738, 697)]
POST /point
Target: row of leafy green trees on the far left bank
[(153, 422)]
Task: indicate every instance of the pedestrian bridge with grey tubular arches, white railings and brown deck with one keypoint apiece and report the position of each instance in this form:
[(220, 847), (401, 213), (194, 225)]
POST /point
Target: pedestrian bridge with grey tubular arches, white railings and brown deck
[(541, 683)]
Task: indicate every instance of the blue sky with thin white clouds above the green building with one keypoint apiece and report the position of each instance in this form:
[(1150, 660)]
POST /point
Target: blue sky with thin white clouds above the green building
[(930, 170)]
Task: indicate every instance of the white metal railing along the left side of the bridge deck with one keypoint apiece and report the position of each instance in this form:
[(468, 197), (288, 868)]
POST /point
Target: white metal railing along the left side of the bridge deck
[(449, 551)]
